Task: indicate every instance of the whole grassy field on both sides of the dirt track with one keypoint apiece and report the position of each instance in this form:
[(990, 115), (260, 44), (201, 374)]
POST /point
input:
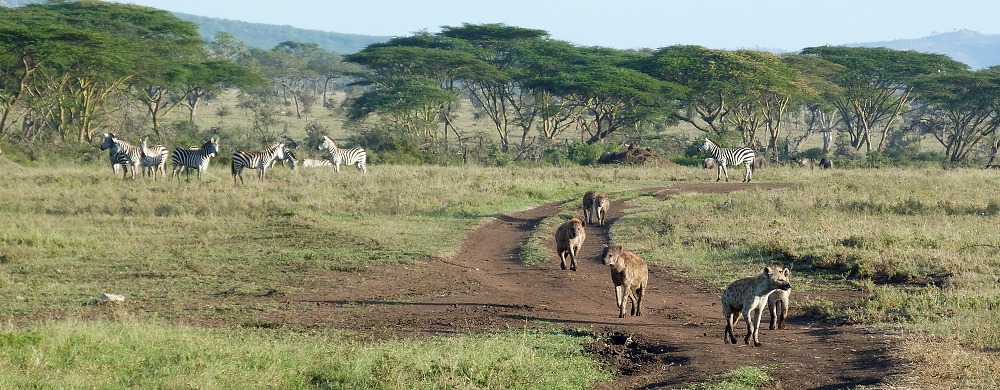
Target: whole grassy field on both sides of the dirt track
[(922, 245)]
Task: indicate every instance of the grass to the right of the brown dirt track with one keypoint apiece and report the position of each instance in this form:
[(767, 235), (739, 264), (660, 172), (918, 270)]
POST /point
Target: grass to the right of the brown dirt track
[(922, 244)]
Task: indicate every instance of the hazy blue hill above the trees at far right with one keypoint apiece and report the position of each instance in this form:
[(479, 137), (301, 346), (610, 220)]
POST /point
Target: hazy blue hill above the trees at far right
[(979, 51)]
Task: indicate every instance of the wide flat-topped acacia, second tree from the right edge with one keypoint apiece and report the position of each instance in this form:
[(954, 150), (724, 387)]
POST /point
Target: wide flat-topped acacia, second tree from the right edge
[(876, 86)]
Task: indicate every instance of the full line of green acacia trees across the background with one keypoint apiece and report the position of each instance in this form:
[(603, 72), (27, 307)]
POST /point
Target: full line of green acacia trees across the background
[(72, 68)]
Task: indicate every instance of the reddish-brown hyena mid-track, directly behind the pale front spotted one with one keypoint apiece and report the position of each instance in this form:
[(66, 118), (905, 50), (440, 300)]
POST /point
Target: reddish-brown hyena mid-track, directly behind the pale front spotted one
[(630, 276)]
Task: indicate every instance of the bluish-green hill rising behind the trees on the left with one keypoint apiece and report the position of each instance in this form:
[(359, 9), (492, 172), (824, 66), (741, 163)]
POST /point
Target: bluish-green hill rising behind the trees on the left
[(267, 36)]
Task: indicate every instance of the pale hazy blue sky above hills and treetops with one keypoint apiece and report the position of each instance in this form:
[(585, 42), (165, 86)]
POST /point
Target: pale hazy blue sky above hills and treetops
[(725, 24)]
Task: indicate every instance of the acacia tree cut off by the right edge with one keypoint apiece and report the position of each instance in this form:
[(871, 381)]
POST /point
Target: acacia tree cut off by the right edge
[(960, 109)]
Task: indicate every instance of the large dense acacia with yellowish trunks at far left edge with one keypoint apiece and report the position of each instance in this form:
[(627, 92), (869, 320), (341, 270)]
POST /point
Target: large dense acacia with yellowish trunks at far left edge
[(85, 55)]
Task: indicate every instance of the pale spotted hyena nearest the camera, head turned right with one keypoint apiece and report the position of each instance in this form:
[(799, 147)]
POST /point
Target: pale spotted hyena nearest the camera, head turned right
[(748, 296)]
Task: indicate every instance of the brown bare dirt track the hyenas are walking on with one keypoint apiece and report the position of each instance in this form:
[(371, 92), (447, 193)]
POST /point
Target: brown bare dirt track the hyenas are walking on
[(678, 340)]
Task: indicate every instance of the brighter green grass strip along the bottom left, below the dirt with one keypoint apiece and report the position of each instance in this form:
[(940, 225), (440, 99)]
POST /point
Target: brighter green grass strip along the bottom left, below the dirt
[(140, 354)]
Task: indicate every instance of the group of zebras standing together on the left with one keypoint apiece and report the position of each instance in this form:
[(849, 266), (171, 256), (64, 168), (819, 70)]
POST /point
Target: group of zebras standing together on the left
[(152, 160)]
